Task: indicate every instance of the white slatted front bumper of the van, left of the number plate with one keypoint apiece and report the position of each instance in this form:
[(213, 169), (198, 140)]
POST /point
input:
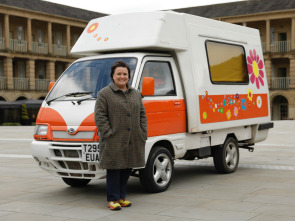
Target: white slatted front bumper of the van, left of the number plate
[(64, 159)]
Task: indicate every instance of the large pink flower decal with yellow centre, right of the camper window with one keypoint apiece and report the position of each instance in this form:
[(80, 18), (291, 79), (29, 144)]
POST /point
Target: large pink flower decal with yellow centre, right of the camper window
[(255, 66)]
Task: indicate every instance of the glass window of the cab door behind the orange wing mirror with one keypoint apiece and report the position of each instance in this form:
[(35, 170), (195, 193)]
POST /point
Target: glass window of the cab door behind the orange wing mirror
[(162, 74)]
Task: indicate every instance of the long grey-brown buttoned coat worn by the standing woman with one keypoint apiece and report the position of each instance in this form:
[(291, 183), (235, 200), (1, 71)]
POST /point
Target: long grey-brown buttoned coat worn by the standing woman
[(121, 120)]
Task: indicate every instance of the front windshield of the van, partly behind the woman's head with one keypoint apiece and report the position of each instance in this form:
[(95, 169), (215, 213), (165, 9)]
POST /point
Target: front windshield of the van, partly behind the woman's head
[(86, 78)]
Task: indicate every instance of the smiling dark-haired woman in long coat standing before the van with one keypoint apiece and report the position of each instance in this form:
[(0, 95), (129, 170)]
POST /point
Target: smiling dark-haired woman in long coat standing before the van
[(121, 121)]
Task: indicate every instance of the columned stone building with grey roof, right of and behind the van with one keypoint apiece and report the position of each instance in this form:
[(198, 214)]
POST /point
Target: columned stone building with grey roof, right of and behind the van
[(275, 20)]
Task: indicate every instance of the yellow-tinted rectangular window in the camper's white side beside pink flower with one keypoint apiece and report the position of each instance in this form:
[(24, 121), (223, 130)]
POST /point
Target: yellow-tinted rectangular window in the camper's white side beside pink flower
[(227, 63)]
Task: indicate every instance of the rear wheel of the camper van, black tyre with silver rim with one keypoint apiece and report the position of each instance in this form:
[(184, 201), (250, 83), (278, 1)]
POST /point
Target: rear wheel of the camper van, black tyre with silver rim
[(226, 157)]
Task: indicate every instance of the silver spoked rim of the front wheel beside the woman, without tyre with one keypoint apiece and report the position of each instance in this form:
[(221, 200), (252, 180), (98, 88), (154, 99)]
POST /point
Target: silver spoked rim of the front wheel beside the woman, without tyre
[(162, 170)]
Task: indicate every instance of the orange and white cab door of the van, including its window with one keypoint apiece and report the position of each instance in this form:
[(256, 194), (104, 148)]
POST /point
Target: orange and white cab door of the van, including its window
[(165, 110)]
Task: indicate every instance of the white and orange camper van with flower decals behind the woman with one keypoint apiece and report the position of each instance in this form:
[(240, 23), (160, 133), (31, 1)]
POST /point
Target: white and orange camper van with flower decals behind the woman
[(203, 84)]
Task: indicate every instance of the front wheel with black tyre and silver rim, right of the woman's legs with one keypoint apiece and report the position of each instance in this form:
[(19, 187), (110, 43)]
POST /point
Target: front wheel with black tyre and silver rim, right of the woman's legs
[(158, 172)]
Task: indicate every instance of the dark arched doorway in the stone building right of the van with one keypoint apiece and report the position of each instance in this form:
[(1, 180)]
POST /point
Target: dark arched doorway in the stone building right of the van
[(280, 108)]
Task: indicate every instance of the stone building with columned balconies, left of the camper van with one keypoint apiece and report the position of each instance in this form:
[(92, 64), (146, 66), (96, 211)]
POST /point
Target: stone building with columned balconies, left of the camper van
[(35, 42)]
